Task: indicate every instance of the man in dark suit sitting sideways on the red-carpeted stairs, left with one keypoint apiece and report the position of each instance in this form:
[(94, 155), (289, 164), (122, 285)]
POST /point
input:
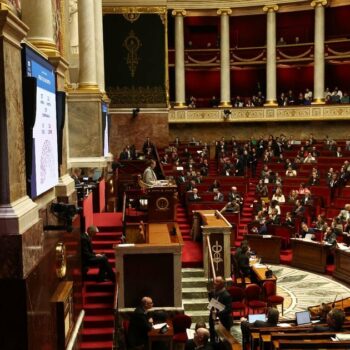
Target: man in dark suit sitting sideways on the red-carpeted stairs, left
[(89, 258)]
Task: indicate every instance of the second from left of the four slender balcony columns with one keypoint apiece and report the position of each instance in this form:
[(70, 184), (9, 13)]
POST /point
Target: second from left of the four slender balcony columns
[(225, 91)]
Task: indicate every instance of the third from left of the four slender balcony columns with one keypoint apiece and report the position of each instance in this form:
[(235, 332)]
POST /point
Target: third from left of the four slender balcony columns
[(271, 81)]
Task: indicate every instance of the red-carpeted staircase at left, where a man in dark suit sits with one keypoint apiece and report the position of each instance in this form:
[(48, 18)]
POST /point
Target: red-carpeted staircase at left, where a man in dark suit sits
[(99, 297)]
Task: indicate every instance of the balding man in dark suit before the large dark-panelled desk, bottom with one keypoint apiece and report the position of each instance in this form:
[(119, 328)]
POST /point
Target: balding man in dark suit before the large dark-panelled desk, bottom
[(140, 324)]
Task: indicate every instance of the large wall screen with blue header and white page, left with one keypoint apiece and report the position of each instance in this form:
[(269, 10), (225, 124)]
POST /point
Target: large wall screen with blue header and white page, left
[(44, 170)]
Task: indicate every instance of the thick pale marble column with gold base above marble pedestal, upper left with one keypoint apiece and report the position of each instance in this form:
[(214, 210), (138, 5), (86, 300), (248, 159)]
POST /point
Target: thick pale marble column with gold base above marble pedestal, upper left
[(87, 46)]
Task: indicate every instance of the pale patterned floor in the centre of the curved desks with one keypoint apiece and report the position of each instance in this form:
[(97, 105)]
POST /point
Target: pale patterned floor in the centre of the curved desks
[(302, 289)]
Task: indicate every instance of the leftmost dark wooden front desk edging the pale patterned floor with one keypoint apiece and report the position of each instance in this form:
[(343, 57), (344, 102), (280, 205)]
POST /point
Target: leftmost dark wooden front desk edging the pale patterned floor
[(266, 247)]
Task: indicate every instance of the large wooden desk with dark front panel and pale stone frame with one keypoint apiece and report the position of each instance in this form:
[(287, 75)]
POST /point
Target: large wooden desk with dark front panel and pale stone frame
[(160, 258)]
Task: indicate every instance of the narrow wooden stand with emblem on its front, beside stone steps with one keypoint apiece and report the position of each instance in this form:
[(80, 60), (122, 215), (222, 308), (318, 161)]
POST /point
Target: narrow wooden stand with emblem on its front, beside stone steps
[(218, 229)]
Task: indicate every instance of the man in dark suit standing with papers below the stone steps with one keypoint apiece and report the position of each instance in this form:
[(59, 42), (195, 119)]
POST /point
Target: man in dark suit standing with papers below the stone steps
[(220, 307)]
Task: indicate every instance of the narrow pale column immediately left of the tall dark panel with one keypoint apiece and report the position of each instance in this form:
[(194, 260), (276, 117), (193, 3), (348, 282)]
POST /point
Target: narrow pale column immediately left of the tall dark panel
[(100, 64)]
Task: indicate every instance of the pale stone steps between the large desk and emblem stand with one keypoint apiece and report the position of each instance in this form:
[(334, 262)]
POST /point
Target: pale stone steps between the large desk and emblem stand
[(195, 294)]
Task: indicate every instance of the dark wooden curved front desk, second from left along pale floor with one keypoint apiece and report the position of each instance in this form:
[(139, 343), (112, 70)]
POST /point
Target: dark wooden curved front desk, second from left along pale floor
[(309, 255)]
